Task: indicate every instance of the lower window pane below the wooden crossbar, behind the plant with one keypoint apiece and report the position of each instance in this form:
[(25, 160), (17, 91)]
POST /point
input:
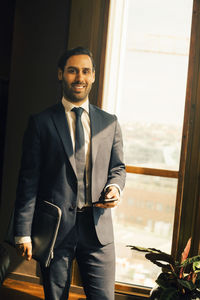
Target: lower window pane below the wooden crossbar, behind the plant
[(143, 218)]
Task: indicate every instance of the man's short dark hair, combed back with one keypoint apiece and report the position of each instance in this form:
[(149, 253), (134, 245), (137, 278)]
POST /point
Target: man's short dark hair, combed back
[(75, 51)]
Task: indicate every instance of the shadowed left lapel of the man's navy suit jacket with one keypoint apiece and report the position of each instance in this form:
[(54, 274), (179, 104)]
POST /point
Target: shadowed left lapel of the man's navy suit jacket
[(62, 127)]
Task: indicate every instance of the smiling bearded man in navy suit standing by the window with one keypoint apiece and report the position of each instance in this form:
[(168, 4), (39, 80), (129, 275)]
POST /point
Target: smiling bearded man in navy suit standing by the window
[(50, 170)]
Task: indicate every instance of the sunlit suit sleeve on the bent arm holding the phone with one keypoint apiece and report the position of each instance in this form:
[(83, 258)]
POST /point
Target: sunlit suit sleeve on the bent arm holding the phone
[(117, 173)]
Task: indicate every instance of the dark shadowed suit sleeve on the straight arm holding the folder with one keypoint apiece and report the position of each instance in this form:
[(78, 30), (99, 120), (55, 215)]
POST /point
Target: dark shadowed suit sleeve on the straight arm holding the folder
[(28, 180)]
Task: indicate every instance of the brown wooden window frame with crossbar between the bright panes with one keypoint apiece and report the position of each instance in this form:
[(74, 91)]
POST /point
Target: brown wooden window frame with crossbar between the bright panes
[(188, 190)]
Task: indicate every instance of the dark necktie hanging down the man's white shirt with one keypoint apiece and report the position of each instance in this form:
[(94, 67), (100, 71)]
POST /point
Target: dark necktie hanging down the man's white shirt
[(80, 156)]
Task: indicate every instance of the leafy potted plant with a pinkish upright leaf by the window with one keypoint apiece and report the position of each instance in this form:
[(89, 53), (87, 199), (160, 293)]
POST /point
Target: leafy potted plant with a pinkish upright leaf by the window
[(178, 280)]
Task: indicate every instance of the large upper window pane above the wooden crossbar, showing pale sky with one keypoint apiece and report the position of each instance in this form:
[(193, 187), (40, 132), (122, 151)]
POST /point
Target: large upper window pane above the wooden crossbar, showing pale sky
[(148, 92)]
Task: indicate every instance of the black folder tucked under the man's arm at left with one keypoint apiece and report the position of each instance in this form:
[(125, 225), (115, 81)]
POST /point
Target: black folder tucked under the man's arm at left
[(45, 228)]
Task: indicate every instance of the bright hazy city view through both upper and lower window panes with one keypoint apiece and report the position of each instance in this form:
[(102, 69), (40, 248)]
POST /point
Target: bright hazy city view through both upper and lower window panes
[(149, 102)]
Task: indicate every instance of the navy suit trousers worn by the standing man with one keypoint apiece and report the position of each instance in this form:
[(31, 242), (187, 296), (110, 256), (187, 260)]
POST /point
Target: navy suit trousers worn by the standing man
[(96, 263)]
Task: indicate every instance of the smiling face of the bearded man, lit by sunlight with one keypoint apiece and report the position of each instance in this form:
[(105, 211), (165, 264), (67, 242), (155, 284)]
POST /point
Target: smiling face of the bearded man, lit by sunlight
[(77, 78)]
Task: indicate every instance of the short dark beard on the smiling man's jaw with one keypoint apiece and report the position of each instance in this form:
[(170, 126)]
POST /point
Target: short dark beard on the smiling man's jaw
[(69, 94)]
